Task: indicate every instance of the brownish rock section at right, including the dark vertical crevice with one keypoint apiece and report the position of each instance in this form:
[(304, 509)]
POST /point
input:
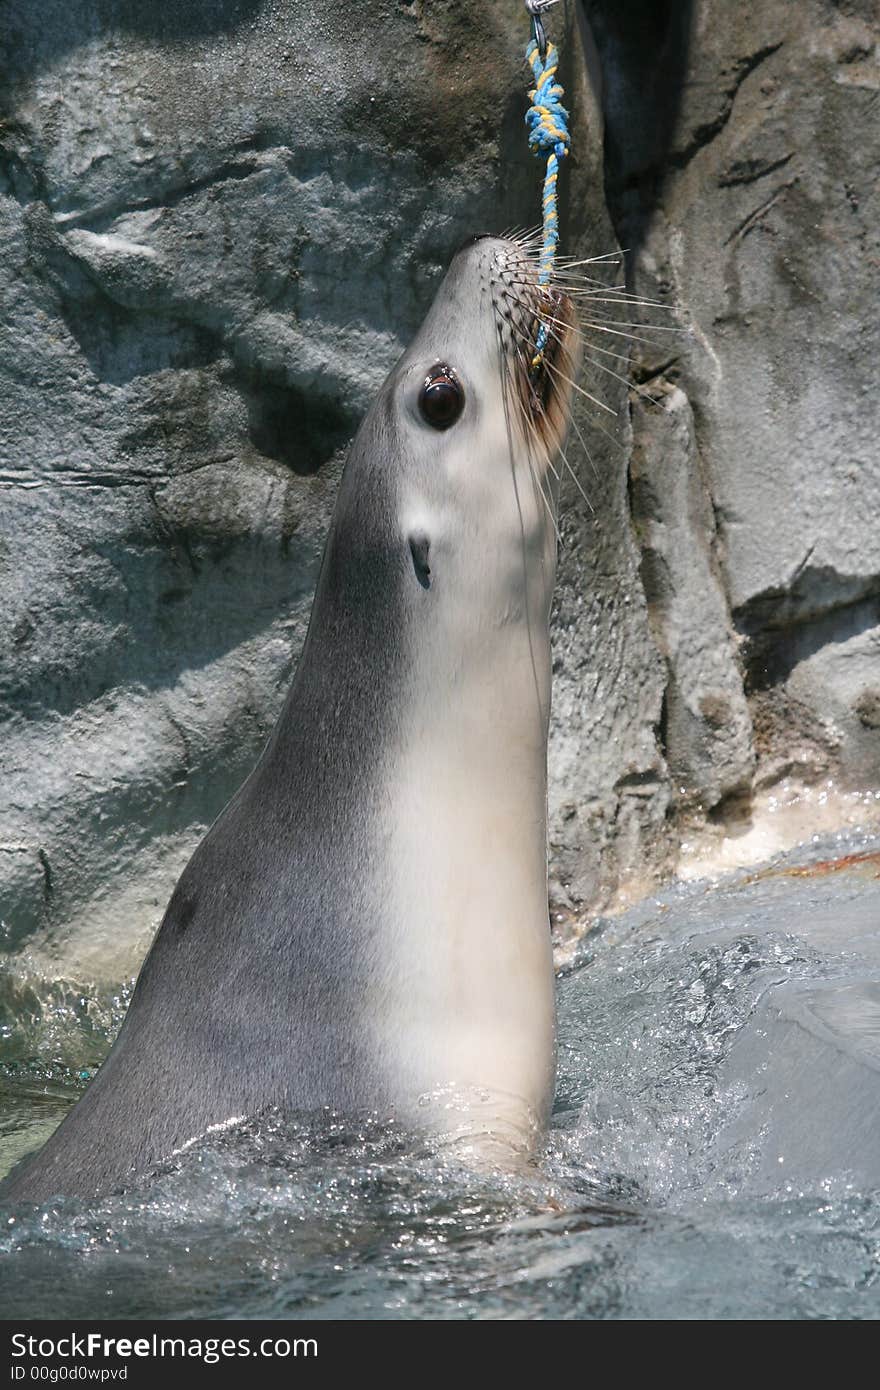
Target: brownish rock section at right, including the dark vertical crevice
[(743, 161)]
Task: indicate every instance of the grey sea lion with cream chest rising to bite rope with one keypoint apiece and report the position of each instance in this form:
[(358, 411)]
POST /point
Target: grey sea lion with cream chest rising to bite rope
[(366, 925)]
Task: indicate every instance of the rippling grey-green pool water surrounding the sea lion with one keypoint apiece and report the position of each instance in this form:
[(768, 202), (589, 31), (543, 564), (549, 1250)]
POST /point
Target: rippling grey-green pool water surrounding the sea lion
[(714, 1152)]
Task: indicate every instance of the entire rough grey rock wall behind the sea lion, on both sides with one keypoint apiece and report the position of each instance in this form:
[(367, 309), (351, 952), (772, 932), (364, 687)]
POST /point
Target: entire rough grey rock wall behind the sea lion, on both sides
[(222, 222)]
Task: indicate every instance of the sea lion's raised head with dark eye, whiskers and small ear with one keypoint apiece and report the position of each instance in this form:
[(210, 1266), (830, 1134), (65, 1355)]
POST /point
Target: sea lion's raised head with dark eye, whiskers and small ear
[(458, 452)]
